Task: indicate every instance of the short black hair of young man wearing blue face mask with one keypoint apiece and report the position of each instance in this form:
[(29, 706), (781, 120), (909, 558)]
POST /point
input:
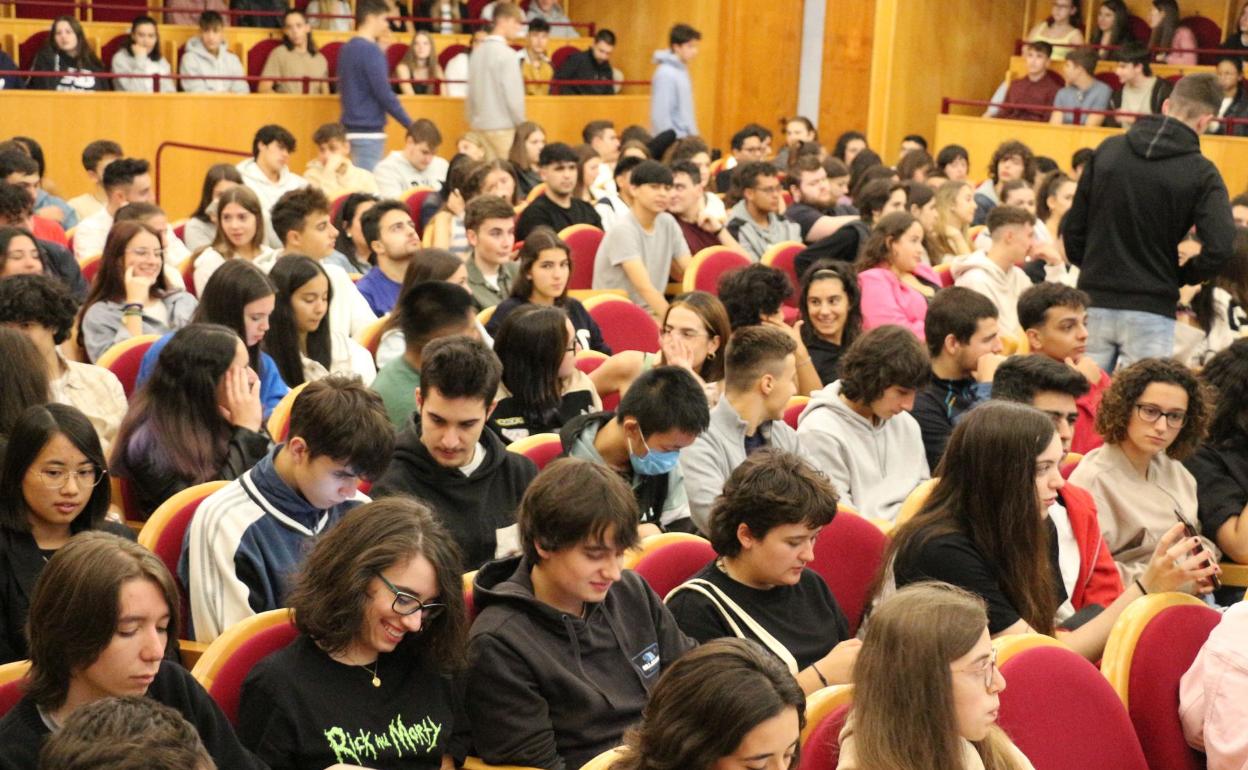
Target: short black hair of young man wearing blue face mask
[(666, 399)]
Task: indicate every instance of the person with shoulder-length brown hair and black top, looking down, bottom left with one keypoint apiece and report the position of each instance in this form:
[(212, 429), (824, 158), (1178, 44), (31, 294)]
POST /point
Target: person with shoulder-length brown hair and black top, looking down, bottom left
[(102, 618)]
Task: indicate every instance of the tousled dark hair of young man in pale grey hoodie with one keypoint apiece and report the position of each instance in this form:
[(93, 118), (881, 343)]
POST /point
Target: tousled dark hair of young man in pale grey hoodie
[(884, 358)]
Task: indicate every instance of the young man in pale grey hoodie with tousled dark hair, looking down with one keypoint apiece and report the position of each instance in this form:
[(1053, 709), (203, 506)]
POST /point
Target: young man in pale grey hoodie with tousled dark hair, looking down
[(859, 430)]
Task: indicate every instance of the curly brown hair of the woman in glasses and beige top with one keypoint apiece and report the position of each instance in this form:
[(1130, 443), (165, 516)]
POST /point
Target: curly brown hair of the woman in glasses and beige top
[(1120, 401)]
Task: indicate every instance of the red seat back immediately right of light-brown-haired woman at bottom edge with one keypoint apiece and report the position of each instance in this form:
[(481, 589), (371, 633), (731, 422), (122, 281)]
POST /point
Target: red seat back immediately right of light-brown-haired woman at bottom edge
[(1064, 714)]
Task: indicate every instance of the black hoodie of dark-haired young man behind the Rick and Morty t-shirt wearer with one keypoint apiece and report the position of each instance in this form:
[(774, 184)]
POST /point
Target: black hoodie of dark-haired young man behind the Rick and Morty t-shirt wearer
[(472, 507)]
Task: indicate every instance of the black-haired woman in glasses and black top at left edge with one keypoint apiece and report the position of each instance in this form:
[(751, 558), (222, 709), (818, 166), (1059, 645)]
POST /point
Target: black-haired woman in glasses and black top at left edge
[(53, 486)]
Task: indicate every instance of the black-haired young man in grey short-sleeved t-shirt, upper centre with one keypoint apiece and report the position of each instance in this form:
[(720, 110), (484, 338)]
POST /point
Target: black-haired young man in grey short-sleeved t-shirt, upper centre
[(646, 249)]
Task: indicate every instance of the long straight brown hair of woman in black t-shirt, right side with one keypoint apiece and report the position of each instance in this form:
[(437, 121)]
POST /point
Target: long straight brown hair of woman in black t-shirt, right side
[(988, 492)]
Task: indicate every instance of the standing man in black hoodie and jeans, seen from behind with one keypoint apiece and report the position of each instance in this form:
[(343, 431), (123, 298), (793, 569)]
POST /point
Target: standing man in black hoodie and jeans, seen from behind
[(1139, 198)]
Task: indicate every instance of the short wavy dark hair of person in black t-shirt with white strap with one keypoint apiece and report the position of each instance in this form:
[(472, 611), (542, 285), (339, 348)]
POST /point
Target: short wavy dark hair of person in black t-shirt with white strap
[(772, 489)]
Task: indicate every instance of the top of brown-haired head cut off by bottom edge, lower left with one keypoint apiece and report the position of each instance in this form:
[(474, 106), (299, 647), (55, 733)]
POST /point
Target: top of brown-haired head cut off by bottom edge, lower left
[(132, 733)]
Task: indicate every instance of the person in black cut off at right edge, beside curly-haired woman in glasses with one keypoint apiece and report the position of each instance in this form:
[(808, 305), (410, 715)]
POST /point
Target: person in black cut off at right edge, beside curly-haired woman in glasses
[(1221, 465)]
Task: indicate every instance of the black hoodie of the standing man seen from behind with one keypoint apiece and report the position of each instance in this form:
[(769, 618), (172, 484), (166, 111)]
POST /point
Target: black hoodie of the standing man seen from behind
[(1138, 199)]
